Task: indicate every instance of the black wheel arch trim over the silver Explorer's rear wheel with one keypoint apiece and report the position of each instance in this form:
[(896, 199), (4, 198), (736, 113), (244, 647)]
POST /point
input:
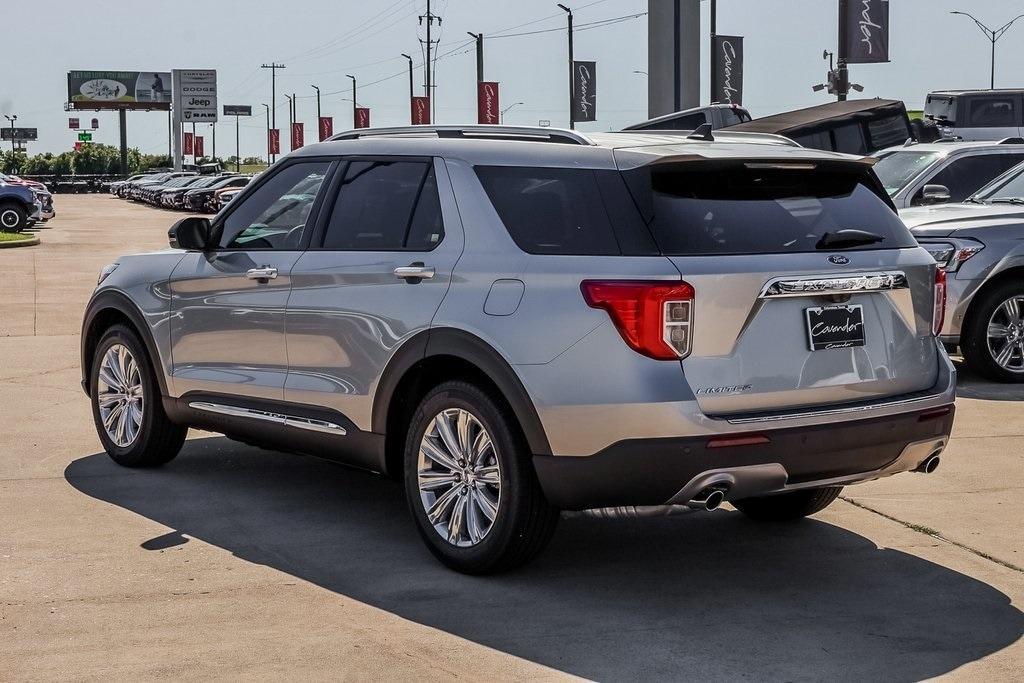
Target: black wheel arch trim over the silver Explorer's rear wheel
[(442, 355)]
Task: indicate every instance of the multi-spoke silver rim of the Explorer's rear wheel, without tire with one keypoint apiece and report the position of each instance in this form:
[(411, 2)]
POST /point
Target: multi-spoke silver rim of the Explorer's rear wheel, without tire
[(459, 478)]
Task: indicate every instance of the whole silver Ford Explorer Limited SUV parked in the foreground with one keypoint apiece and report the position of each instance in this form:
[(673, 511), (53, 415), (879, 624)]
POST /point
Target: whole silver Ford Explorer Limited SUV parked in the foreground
[(519, 321)]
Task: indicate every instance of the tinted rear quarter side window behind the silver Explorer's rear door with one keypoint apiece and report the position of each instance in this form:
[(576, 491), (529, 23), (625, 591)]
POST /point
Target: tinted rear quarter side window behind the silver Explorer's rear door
[(550, 210)]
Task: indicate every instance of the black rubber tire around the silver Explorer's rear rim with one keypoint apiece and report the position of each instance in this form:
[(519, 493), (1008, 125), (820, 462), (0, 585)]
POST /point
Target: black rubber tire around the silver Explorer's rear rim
[(525, 522)]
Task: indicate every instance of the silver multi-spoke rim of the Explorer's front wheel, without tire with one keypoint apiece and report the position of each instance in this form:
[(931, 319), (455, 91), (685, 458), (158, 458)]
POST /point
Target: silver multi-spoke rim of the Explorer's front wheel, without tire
[(120, 396)]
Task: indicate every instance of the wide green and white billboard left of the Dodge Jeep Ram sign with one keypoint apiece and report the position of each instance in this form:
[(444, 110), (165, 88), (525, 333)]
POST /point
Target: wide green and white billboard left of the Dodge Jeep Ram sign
[(119, 90)]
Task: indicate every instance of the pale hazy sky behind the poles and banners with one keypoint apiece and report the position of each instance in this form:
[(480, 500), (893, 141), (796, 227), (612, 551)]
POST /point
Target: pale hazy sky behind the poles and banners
[(321, 41)]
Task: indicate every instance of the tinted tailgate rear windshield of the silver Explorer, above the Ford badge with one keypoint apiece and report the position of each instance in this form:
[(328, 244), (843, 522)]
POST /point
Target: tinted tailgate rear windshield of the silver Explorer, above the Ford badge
[(748, 211)]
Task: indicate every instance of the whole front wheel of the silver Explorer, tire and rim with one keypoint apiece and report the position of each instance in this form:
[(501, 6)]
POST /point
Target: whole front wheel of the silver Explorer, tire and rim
[(126, 404)]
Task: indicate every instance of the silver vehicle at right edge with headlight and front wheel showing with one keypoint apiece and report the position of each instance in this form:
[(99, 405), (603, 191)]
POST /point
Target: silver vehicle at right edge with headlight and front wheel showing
[(980, 245)]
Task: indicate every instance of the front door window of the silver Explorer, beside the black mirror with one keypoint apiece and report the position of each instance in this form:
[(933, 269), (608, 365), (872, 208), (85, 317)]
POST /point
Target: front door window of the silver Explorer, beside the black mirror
[(275, 217)]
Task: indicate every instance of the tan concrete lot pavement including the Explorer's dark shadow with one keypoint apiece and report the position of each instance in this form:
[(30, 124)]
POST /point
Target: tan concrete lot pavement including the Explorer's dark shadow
[(236, 562)]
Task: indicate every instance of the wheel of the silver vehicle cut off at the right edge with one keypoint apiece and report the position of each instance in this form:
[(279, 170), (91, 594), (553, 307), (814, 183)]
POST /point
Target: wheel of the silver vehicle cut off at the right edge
[(994, 339)]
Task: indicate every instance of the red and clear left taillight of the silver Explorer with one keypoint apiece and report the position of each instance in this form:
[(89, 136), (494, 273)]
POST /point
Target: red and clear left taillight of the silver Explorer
[(655, 319)]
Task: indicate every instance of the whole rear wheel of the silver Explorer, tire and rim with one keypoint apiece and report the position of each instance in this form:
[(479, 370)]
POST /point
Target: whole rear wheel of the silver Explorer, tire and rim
[(471, 484)]
